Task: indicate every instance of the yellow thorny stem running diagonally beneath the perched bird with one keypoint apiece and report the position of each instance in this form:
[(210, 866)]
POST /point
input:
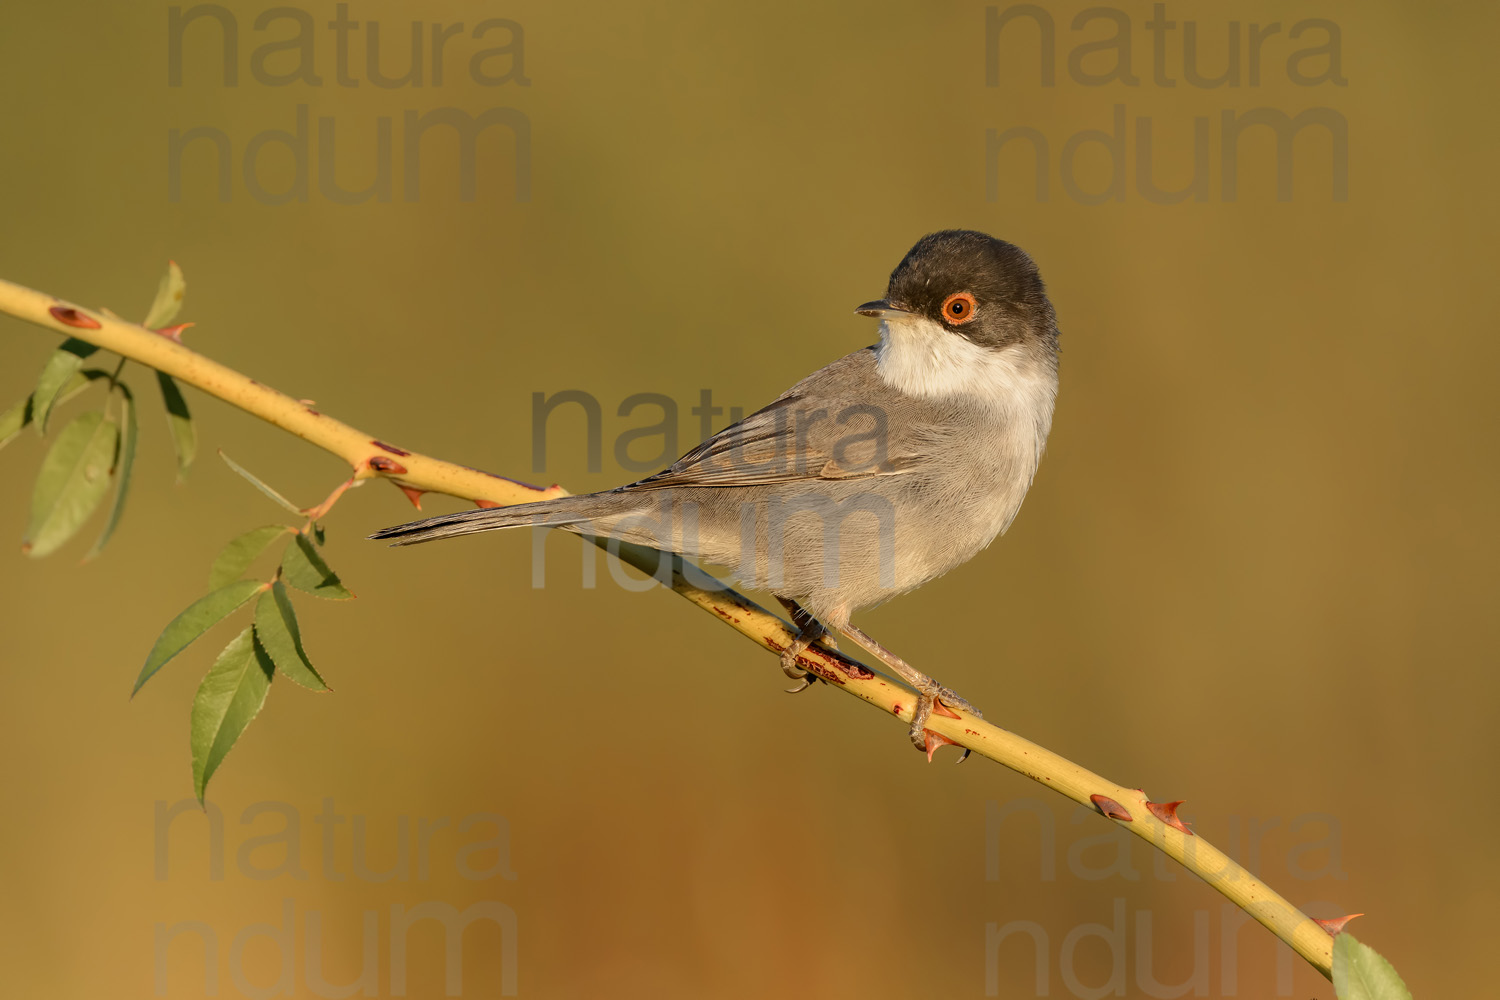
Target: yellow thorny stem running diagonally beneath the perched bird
[(371, 458)]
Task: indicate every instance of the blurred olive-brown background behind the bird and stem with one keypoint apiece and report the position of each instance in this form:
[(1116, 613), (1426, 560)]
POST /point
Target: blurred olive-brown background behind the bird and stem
[(1256, 570)]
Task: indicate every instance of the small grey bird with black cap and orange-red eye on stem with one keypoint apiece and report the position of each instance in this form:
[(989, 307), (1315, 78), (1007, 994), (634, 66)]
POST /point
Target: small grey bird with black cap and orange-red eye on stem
[(869, 478)]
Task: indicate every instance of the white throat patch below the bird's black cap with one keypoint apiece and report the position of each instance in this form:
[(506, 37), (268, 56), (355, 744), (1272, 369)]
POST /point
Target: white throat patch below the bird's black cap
[(920, 358)]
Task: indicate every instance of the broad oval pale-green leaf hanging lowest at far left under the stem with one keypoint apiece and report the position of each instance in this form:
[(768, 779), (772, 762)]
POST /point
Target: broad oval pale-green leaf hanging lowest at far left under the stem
[(74, 479)]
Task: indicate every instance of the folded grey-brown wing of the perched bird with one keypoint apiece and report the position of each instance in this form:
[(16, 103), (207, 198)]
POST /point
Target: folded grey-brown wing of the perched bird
[(833, 425)]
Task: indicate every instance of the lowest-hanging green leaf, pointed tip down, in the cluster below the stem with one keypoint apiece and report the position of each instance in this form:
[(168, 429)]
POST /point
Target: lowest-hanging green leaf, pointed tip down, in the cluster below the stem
[(229, 699)]
